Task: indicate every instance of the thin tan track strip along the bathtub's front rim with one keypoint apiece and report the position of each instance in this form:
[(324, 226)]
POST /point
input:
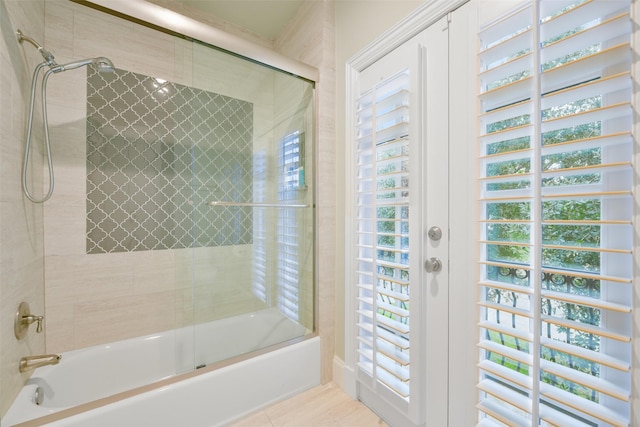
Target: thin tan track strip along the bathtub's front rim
[(196, 372)]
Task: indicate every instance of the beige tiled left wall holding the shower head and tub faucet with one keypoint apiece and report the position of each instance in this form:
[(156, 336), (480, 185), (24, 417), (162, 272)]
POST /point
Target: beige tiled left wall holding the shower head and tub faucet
[(21, 249)]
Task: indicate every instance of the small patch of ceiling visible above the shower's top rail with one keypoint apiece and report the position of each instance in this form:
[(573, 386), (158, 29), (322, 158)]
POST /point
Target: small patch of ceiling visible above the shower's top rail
[(265, 18)]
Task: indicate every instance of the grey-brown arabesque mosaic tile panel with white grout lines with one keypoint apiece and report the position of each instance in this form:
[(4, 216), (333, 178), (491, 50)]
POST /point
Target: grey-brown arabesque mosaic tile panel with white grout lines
[(157, 153)]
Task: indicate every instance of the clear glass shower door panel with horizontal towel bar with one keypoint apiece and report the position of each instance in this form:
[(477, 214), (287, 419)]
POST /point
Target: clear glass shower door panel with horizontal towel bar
[(253, 218)]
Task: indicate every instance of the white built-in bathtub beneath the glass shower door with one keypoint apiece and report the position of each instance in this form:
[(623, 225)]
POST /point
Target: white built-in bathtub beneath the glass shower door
[(134, 383)]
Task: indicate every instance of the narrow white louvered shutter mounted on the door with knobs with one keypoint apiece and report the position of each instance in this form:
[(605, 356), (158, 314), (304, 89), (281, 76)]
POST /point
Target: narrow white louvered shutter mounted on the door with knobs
[(382, 234)]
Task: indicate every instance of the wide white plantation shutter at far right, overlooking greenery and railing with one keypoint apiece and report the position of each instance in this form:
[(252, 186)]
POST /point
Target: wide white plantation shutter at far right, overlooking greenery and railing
[(556, 206)]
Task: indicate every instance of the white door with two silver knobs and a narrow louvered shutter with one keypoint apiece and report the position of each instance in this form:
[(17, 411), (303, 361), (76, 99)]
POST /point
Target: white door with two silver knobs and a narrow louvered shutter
[(400, 232)]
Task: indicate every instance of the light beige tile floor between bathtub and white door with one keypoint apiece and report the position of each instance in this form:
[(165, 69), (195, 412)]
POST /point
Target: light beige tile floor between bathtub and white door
[(326, 406)]
